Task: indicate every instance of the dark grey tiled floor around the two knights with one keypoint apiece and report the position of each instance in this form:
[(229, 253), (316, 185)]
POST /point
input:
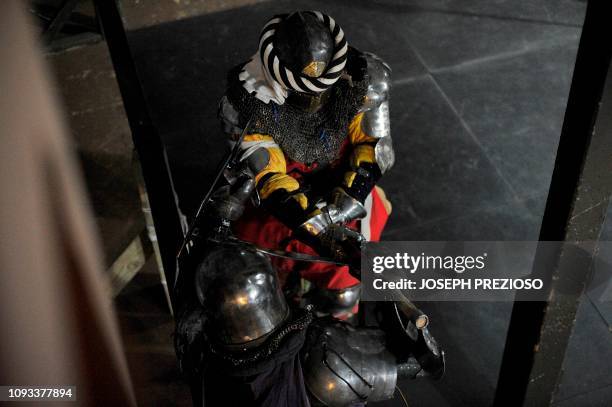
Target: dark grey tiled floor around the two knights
[(477, 106)]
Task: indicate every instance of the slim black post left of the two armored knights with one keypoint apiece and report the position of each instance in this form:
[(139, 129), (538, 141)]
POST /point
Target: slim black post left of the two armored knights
[(151, 152)]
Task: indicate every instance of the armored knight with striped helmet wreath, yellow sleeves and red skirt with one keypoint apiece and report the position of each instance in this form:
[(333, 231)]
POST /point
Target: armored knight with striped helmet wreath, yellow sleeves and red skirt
[(315, 114)]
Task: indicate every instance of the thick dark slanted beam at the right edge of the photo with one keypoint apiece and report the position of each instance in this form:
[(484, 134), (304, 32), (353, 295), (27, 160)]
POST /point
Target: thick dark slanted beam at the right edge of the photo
[(575, 212)]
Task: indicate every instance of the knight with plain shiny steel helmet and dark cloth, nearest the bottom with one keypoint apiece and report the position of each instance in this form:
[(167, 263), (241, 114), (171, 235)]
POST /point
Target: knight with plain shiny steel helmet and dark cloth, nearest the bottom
[(243, 344)]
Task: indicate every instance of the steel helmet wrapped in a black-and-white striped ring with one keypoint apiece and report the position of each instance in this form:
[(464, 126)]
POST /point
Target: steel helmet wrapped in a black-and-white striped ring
[(303, 52)]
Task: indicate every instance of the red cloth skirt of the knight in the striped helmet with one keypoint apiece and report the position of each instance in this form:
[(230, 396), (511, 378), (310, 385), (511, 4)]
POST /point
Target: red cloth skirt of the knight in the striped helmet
[(264, 230)]
